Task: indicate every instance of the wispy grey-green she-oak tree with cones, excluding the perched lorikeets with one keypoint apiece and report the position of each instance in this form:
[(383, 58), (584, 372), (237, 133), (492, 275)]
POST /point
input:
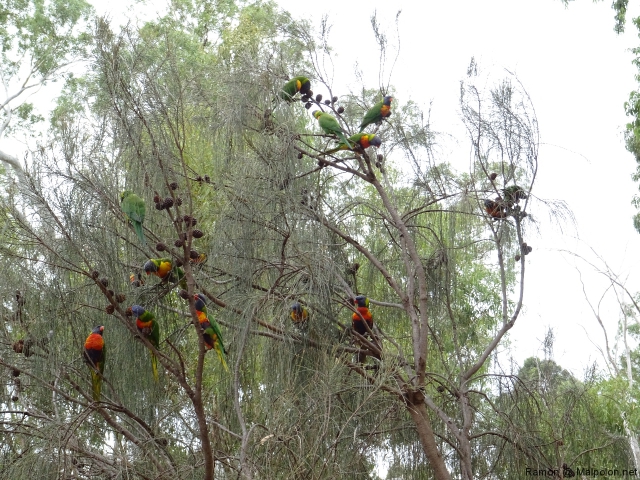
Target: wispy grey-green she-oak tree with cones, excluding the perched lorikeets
[(181, 112)]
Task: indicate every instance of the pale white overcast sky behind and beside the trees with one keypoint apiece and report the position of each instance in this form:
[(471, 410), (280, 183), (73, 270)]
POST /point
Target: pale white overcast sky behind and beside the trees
[(578, 74)]
